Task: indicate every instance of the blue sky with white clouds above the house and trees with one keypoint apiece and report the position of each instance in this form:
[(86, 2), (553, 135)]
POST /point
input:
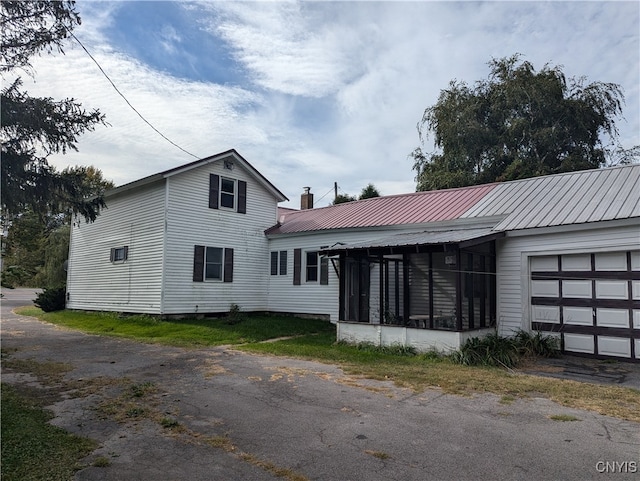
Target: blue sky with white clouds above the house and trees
[(311, 93)]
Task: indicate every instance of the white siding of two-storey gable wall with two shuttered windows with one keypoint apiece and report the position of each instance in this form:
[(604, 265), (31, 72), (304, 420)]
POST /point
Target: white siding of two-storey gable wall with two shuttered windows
[(191, 222)]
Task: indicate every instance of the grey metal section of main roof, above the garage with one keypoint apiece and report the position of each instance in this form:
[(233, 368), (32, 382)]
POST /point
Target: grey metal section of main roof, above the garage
[(563, 199)]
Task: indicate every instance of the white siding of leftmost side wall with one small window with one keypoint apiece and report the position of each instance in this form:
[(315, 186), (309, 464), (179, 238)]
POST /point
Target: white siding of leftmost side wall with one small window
[(94, 282)]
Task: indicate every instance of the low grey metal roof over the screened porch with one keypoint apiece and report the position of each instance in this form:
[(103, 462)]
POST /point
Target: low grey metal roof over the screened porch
[(462, 237)]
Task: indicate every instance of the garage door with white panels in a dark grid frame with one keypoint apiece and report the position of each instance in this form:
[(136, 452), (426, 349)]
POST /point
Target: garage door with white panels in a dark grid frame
[(592, 301)]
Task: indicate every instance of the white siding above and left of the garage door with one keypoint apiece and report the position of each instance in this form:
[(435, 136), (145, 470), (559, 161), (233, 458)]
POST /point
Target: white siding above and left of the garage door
[(514, 251)]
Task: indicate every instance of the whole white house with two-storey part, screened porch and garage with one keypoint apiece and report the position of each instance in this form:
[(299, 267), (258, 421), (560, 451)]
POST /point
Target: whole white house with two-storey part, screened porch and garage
[(559, 254)]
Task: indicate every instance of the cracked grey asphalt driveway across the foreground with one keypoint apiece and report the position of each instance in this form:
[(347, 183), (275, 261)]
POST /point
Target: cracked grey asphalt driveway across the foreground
[(251, 417)]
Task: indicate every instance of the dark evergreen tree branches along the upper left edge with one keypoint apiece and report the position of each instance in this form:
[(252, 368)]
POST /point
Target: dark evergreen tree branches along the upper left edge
[(34, 128)]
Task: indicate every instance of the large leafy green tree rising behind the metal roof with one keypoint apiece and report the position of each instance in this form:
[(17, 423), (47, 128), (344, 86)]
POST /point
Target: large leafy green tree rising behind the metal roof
[(518, 123)]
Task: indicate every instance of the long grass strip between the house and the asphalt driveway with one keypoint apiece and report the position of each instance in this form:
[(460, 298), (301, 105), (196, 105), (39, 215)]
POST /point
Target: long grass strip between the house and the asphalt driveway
[(315, 340)]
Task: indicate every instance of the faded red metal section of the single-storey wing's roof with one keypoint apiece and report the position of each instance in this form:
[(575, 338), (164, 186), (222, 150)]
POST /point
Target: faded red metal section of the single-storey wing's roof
[(403, 209)]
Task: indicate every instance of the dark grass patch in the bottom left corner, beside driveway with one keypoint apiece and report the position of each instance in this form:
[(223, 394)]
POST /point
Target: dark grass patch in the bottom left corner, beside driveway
[(33, 450)]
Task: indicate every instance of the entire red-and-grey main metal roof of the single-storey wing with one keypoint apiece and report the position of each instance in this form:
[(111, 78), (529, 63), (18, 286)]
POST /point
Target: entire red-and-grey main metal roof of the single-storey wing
[(553, 200)]
